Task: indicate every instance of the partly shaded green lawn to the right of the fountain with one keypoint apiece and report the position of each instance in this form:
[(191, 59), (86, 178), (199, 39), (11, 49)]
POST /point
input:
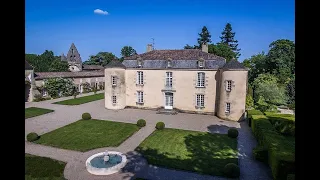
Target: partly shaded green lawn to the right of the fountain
[(190, 150)]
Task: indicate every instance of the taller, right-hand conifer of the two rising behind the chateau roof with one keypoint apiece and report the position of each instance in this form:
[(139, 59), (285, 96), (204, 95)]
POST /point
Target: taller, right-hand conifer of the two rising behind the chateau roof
[(228, 38)]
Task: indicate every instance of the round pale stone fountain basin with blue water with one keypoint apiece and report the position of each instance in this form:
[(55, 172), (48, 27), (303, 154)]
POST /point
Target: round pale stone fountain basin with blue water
[(96, 165)]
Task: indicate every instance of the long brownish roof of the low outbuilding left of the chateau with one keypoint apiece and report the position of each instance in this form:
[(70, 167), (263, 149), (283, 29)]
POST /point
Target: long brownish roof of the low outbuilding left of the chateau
[(45, 75)]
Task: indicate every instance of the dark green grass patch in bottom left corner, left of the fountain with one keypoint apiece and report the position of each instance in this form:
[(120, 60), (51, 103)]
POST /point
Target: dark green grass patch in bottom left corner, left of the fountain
[(43, 168)]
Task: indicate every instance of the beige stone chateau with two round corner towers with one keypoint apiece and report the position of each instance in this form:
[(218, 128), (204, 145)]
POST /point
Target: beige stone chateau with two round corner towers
[(188, 80)]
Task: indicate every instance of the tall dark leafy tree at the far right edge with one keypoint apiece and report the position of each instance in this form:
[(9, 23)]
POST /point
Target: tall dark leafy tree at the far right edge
[(280, 59)]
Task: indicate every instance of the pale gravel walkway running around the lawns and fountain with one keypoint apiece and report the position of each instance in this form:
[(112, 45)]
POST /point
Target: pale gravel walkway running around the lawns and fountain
[(137, 165)]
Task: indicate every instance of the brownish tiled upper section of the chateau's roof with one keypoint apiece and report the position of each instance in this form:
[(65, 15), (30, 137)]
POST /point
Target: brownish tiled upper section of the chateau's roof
[(181, 54)]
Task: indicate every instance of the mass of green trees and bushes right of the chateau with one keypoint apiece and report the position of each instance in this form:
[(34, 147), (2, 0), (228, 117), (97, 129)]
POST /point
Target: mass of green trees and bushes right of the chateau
[(272, 77)]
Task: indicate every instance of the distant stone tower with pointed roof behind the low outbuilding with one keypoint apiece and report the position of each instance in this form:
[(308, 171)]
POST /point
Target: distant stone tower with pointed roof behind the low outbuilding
[(74, 59)]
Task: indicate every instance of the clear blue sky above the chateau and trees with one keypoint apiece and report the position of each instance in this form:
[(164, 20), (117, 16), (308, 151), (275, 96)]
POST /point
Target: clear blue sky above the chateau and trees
[(54, 25)]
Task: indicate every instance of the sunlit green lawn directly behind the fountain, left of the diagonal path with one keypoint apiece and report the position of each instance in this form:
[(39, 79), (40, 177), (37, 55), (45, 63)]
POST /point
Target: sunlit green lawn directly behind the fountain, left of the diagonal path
[(84, 135)]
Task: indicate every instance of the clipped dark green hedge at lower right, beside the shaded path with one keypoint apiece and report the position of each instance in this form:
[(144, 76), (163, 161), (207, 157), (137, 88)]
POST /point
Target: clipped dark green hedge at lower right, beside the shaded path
[(281, 149)]
